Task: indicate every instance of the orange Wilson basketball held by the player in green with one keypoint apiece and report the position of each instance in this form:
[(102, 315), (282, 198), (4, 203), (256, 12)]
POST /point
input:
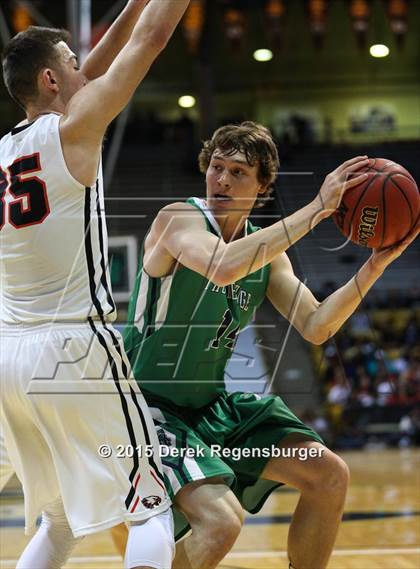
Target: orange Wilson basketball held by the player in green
[(381, 210)]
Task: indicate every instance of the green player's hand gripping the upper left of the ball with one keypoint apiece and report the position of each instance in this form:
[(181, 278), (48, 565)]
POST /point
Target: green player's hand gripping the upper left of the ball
[(340, 180)]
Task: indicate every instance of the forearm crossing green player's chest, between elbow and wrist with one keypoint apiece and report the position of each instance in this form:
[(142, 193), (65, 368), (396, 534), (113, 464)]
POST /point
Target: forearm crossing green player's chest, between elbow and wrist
[(248, 255)]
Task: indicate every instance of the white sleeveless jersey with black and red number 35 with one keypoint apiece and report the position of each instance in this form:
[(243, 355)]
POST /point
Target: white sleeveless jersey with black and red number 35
[(53, 238)]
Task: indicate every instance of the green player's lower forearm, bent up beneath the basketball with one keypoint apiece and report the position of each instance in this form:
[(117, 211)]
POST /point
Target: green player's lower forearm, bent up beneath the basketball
[(331, 314)]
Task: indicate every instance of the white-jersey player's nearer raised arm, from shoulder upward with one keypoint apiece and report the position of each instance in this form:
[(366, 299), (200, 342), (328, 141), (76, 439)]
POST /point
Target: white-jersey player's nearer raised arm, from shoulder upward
[(92, 108)]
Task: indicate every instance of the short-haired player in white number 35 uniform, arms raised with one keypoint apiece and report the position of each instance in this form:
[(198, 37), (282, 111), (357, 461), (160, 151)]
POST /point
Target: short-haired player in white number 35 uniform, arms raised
[(66, 392)]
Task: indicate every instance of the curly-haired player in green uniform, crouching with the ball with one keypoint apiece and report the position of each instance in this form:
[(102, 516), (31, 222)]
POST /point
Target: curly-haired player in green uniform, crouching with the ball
[(204, 270)]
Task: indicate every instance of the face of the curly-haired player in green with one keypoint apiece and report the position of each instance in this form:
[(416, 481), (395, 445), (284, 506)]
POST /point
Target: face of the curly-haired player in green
[(232, 183)]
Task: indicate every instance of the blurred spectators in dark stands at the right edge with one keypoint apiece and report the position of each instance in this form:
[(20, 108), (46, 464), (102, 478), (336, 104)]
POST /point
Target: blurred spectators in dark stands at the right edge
[(371, 376)]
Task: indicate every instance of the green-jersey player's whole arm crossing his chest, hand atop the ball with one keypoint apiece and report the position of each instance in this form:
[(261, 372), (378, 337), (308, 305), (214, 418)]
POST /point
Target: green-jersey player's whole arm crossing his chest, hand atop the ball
[(179, 233)]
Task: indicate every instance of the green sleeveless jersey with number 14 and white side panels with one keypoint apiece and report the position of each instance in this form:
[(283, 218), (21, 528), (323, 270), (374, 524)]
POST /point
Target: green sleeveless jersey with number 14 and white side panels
[(182, 328)]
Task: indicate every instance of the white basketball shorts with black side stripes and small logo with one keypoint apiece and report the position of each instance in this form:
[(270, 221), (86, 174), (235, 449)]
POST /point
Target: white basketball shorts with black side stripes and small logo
[(64, 395)]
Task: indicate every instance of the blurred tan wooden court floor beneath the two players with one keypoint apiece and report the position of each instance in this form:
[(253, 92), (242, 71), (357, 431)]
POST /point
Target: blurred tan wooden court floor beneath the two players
[(381, 529)]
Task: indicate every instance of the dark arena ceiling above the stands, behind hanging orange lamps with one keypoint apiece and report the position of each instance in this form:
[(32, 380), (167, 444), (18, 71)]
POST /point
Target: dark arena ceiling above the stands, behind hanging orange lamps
[(233, 29)]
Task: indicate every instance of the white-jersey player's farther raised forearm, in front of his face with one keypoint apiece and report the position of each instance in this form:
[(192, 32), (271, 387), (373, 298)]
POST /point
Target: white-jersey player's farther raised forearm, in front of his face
[(100, 58)]
